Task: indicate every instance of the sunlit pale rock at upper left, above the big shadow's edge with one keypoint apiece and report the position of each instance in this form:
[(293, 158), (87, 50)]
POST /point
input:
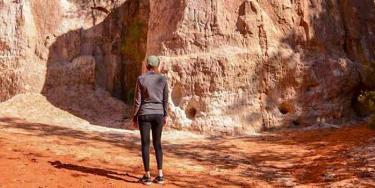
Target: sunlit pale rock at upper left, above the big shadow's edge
[(29, 32)]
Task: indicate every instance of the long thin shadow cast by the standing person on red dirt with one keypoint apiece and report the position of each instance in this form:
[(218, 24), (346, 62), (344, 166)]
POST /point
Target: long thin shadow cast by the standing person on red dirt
[(96, 171)]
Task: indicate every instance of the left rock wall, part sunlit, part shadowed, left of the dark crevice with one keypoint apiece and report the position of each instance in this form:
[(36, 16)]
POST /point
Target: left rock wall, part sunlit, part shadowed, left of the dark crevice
[(57, 48)]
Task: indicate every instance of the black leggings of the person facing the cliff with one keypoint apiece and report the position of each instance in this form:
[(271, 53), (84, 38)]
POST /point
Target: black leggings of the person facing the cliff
[(155, 123)]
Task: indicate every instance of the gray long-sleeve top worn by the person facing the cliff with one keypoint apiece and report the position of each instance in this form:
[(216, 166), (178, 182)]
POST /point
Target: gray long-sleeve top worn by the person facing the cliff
[(151, 94)]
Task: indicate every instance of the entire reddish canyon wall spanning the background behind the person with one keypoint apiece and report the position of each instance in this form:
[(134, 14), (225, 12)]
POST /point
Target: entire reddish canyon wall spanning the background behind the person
[(237, 66)]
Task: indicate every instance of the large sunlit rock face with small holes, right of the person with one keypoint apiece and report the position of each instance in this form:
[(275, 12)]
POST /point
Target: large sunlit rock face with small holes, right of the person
[(244, 66)]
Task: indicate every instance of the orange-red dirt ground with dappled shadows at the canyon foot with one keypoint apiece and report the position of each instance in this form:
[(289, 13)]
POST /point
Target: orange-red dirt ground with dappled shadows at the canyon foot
[(41, 155)]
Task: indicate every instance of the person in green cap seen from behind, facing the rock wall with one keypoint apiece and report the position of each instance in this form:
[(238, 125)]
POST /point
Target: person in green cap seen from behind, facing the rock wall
[(150, 112)]
